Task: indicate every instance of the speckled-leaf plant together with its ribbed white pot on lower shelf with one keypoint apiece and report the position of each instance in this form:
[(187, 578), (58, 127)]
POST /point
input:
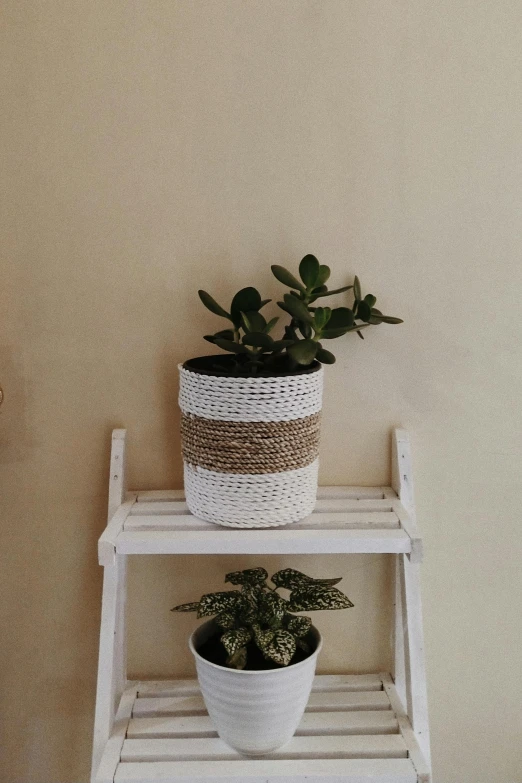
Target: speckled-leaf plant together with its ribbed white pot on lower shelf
[(256, 659)]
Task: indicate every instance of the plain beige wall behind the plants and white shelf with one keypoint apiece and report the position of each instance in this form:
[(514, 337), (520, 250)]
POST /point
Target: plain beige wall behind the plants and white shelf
[(154, 147)]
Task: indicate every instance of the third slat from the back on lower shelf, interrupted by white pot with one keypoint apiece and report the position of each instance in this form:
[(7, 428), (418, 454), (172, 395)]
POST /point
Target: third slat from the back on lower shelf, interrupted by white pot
[(313, 724)]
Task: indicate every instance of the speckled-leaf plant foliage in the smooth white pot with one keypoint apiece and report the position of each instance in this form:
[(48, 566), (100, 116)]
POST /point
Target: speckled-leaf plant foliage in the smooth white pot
[(257, 614)]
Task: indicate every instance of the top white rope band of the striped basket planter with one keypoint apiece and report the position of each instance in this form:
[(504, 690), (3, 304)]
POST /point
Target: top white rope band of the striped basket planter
[(250, 399)]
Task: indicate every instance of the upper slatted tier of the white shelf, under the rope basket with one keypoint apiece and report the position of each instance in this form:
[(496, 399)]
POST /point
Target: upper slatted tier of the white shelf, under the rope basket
[(345, 520)]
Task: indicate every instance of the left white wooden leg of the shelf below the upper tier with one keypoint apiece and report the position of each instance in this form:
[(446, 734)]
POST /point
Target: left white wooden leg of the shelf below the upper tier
[(112, 665)]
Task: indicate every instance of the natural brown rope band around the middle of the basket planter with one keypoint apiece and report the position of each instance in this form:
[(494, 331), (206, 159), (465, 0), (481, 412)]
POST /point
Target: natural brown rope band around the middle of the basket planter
[(250, 447)]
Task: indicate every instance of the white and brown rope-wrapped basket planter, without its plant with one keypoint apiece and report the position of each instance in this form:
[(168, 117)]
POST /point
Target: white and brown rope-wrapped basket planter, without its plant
[(250, 446)]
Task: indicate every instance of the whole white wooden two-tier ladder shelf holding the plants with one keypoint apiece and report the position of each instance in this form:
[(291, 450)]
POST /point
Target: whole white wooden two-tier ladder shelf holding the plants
[(365, 728)]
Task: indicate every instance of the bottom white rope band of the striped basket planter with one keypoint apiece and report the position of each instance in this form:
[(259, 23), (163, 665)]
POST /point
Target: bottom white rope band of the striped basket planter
[(251, 501)]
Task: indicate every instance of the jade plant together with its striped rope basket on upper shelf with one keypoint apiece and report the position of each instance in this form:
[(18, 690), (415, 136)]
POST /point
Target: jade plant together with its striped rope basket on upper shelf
[(251, 417)]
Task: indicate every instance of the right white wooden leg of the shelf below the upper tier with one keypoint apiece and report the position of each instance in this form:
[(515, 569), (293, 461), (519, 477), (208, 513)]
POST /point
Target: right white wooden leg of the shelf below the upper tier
[(418, 706)]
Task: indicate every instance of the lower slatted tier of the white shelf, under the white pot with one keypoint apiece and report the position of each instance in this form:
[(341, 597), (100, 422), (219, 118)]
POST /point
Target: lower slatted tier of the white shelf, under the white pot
[(354, 731)]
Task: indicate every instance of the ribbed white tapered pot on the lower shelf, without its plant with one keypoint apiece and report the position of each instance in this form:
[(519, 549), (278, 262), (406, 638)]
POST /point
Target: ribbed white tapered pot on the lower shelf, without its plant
[(255, 712)]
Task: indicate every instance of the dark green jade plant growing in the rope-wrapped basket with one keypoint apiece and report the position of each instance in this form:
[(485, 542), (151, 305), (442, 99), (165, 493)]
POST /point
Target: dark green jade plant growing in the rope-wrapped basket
[(249, 341)]
